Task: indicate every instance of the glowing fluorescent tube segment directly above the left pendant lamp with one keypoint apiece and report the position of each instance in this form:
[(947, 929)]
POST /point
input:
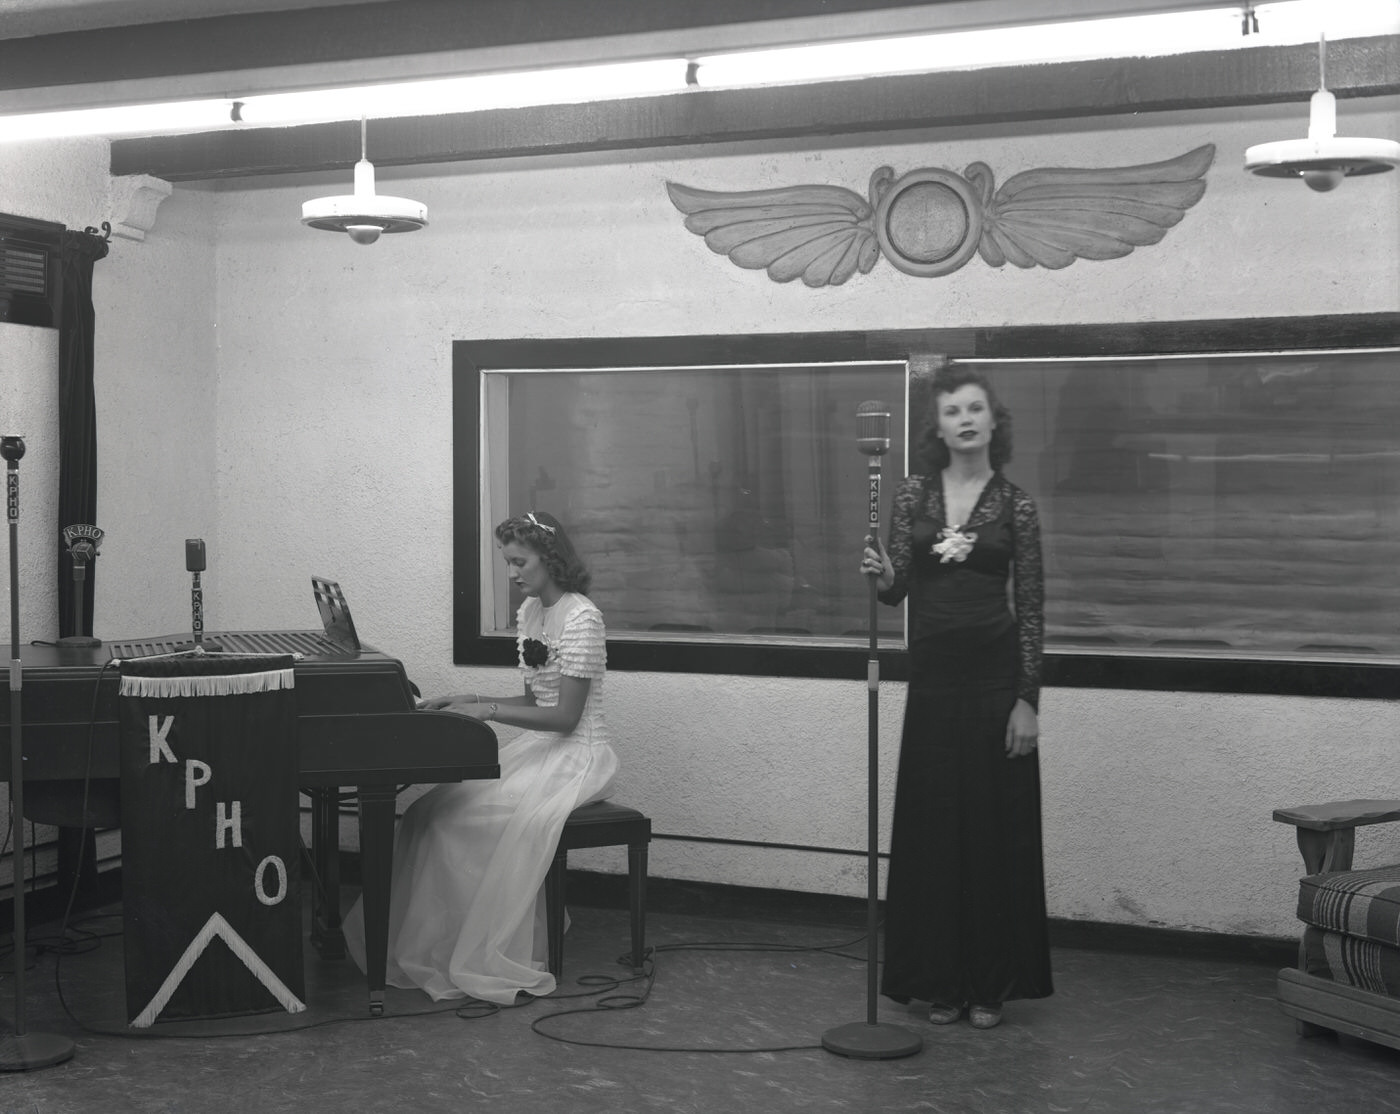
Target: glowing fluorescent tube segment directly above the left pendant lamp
[(572, 85)]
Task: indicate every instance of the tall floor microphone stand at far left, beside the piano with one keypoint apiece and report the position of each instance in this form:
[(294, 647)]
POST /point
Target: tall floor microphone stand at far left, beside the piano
[(20, 1052)]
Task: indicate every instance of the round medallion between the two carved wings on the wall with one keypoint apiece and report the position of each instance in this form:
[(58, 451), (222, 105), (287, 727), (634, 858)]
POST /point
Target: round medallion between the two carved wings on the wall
[(929, 222)]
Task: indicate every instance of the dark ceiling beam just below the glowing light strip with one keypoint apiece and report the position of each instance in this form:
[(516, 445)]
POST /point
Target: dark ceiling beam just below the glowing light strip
[(1224, 79)]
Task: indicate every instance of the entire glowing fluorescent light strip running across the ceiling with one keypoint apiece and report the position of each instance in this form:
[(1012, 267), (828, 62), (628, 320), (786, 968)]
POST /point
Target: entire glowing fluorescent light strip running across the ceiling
[(1289, 22)]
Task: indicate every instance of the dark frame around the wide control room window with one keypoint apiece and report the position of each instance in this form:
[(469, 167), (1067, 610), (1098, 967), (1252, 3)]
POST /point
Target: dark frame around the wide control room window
[(1091, 671)]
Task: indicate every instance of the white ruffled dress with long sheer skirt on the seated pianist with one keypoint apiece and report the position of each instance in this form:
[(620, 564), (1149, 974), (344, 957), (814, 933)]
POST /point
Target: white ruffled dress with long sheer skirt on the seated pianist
[(467, 908)]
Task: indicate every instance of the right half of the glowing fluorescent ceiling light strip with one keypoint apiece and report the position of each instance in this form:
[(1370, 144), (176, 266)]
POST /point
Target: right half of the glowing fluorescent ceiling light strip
[(1177, 33)]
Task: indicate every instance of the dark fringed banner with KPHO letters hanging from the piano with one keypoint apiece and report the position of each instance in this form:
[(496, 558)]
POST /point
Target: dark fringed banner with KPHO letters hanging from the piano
[(211, 838)]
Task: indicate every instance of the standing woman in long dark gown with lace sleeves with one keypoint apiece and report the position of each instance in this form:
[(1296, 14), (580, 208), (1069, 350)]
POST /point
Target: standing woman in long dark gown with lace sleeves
[(965, 902)]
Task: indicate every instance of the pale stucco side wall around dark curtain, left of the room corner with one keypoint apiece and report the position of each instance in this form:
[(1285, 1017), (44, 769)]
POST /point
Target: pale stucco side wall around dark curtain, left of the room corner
[(155, 374)]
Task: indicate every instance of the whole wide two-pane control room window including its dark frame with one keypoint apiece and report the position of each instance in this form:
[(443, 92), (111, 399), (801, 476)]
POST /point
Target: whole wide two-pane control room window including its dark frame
[(1213, 519)]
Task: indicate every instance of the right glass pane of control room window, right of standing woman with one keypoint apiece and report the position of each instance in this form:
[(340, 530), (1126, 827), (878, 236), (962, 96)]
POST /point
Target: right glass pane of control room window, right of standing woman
[(1216, 505)]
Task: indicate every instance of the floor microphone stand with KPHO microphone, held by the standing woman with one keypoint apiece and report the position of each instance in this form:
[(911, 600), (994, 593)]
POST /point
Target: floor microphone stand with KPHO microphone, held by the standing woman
[(873, 1039)]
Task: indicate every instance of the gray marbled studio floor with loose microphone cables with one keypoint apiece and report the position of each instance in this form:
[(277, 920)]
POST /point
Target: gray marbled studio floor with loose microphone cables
[(723, 1028)]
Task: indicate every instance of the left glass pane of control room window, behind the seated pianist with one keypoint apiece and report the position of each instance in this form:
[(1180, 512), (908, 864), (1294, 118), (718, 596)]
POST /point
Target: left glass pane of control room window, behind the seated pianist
[(710, 503)]
